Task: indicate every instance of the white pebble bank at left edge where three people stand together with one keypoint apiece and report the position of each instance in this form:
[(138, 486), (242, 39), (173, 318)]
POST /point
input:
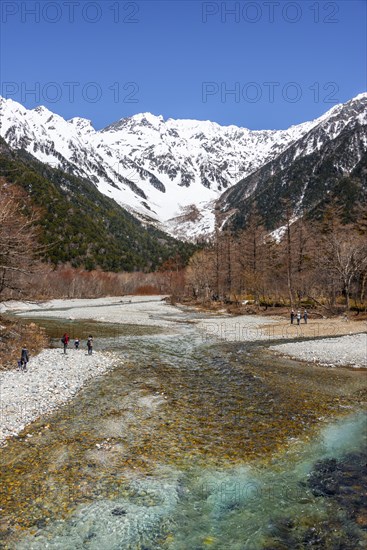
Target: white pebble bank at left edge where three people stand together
[(52, 378)]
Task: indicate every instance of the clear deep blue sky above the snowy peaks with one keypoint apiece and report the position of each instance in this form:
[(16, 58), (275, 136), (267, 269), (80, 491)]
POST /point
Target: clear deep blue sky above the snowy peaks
[(285, 62)]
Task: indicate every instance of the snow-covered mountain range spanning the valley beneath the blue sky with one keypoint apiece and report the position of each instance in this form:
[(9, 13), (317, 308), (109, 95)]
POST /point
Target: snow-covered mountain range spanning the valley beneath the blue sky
[(167, 172)]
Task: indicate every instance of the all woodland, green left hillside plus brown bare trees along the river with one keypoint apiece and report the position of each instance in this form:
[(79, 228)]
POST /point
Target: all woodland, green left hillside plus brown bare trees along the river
[(59, 237)]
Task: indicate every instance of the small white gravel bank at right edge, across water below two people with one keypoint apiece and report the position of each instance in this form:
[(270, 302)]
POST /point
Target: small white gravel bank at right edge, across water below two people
[(345, 350)]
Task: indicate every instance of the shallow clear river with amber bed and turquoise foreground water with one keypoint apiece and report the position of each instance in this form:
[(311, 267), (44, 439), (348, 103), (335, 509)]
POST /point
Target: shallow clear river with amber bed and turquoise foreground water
[(192, 444)]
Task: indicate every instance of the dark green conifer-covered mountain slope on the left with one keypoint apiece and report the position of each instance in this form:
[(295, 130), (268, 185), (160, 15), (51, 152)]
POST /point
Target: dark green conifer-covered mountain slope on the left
[(82, 227)]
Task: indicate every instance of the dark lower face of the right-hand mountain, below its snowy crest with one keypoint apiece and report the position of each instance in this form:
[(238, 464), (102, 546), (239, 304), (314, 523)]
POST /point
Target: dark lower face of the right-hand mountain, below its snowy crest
[(306, 183)]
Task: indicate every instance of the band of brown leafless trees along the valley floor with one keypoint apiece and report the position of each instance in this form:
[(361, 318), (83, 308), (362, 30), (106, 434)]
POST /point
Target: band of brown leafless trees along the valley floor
[(315, 263)]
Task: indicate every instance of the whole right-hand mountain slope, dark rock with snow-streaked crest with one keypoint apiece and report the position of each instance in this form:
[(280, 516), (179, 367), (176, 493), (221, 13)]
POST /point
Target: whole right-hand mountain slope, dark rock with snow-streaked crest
[(327, 162)]
